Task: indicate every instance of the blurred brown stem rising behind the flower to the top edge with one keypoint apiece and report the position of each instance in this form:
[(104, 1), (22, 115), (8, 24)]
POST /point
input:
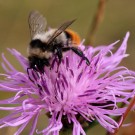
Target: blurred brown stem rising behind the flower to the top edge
[(98, 18)]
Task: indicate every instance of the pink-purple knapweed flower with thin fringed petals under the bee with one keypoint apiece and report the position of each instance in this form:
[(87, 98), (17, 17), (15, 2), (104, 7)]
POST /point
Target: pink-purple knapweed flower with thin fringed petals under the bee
[(76, 90)]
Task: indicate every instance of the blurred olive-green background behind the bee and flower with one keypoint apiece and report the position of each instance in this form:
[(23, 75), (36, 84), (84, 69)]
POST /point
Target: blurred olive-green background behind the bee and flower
[(14, 31)]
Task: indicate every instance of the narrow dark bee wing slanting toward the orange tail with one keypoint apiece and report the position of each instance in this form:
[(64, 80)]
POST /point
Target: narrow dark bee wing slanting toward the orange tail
[(60, 30)]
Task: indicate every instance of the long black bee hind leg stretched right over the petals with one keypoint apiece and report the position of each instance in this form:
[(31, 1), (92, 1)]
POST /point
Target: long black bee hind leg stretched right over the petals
[(78, 52)]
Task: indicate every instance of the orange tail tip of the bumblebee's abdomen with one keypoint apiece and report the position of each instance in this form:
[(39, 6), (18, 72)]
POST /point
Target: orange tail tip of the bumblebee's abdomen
[(75, 38)]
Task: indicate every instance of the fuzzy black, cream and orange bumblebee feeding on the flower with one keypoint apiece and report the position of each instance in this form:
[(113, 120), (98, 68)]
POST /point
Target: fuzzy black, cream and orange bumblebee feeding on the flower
[(47, 43)]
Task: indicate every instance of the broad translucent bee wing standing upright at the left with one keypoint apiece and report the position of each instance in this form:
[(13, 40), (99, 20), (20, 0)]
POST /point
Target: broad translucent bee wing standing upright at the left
[(37, 23)]
